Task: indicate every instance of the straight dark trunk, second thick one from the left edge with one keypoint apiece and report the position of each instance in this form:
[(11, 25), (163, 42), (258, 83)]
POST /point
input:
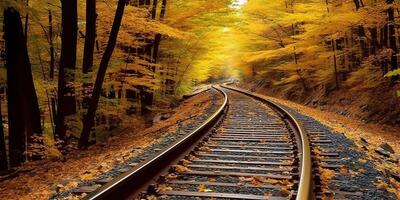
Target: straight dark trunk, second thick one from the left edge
[(66, 94)]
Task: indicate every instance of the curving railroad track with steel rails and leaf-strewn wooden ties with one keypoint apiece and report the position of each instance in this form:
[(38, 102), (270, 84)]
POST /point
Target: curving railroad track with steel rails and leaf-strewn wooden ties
[(253, 150)]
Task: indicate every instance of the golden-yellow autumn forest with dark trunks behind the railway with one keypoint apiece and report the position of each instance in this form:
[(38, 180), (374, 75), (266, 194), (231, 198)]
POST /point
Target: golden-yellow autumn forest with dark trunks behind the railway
[(73, 73)]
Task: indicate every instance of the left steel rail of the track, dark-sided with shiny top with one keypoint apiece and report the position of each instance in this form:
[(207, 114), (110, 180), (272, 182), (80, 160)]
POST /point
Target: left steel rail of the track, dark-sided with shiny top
[(130, 183)]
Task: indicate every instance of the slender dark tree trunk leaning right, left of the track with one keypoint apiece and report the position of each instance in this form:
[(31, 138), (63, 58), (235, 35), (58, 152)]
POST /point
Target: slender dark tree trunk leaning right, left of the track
[(94, 101)]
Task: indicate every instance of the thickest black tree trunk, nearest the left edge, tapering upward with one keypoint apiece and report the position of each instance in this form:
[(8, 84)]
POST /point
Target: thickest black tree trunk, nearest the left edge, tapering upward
[(23, 109)]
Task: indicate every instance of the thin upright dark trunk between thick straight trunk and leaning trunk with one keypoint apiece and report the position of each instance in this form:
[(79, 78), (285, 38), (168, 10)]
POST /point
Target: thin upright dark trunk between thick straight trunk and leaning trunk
[(90, 40)]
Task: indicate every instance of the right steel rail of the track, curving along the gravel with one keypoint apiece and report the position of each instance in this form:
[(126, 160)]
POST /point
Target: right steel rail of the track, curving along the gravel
[(305, 189)]
